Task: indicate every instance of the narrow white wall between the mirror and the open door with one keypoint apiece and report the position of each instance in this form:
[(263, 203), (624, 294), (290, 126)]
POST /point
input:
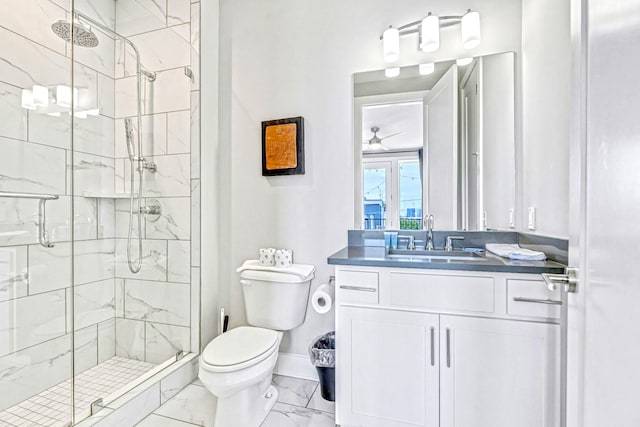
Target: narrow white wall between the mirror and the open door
[(546, 86)]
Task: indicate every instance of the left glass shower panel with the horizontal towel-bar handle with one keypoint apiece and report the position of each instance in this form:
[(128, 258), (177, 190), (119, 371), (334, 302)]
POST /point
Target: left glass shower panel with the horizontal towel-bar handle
[(35, 216)]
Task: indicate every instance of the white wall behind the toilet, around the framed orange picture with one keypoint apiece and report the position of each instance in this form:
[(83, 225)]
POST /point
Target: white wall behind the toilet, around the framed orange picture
[(285, 58)]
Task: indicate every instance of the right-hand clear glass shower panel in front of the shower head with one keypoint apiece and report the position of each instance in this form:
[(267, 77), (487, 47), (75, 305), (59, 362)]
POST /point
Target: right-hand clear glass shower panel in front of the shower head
[(134, 287)]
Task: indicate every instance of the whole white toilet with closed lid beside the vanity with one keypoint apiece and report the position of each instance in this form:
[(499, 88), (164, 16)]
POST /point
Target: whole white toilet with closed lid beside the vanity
[(237, 366)]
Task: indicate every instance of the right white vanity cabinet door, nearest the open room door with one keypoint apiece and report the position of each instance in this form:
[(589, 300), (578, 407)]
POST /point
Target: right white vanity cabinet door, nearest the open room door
[(498, 373)]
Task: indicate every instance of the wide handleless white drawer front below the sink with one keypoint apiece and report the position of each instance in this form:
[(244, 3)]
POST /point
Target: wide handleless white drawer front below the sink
[(448, 293)]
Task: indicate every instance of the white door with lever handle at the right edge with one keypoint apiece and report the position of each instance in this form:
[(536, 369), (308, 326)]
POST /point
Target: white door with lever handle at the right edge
[(604, 316)]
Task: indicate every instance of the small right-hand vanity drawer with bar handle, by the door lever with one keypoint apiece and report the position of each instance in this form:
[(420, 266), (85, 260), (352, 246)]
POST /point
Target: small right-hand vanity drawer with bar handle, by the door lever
[(532, 298)]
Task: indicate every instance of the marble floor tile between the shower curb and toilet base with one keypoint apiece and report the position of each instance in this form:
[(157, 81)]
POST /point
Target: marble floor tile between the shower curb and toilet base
[(194, 405)]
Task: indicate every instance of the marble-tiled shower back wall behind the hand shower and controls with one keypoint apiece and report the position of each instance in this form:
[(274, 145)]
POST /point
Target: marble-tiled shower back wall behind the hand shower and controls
[(157, 310)]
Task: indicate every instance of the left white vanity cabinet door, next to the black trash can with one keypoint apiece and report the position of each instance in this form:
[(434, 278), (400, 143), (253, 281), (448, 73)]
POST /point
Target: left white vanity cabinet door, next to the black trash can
[(387, 368)]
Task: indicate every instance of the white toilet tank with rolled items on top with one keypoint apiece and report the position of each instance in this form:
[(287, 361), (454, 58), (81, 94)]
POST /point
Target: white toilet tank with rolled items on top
[(276, 298)]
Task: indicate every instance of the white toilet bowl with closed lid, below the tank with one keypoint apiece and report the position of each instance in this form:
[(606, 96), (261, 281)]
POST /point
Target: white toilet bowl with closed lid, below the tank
[(237, 368)]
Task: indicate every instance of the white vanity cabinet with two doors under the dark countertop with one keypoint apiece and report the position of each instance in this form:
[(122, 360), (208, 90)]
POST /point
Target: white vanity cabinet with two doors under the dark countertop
[(445, 348)]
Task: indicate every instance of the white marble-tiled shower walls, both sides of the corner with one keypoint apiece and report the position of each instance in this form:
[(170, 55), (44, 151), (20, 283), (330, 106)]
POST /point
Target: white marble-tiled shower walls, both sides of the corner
[(148, 316)]
